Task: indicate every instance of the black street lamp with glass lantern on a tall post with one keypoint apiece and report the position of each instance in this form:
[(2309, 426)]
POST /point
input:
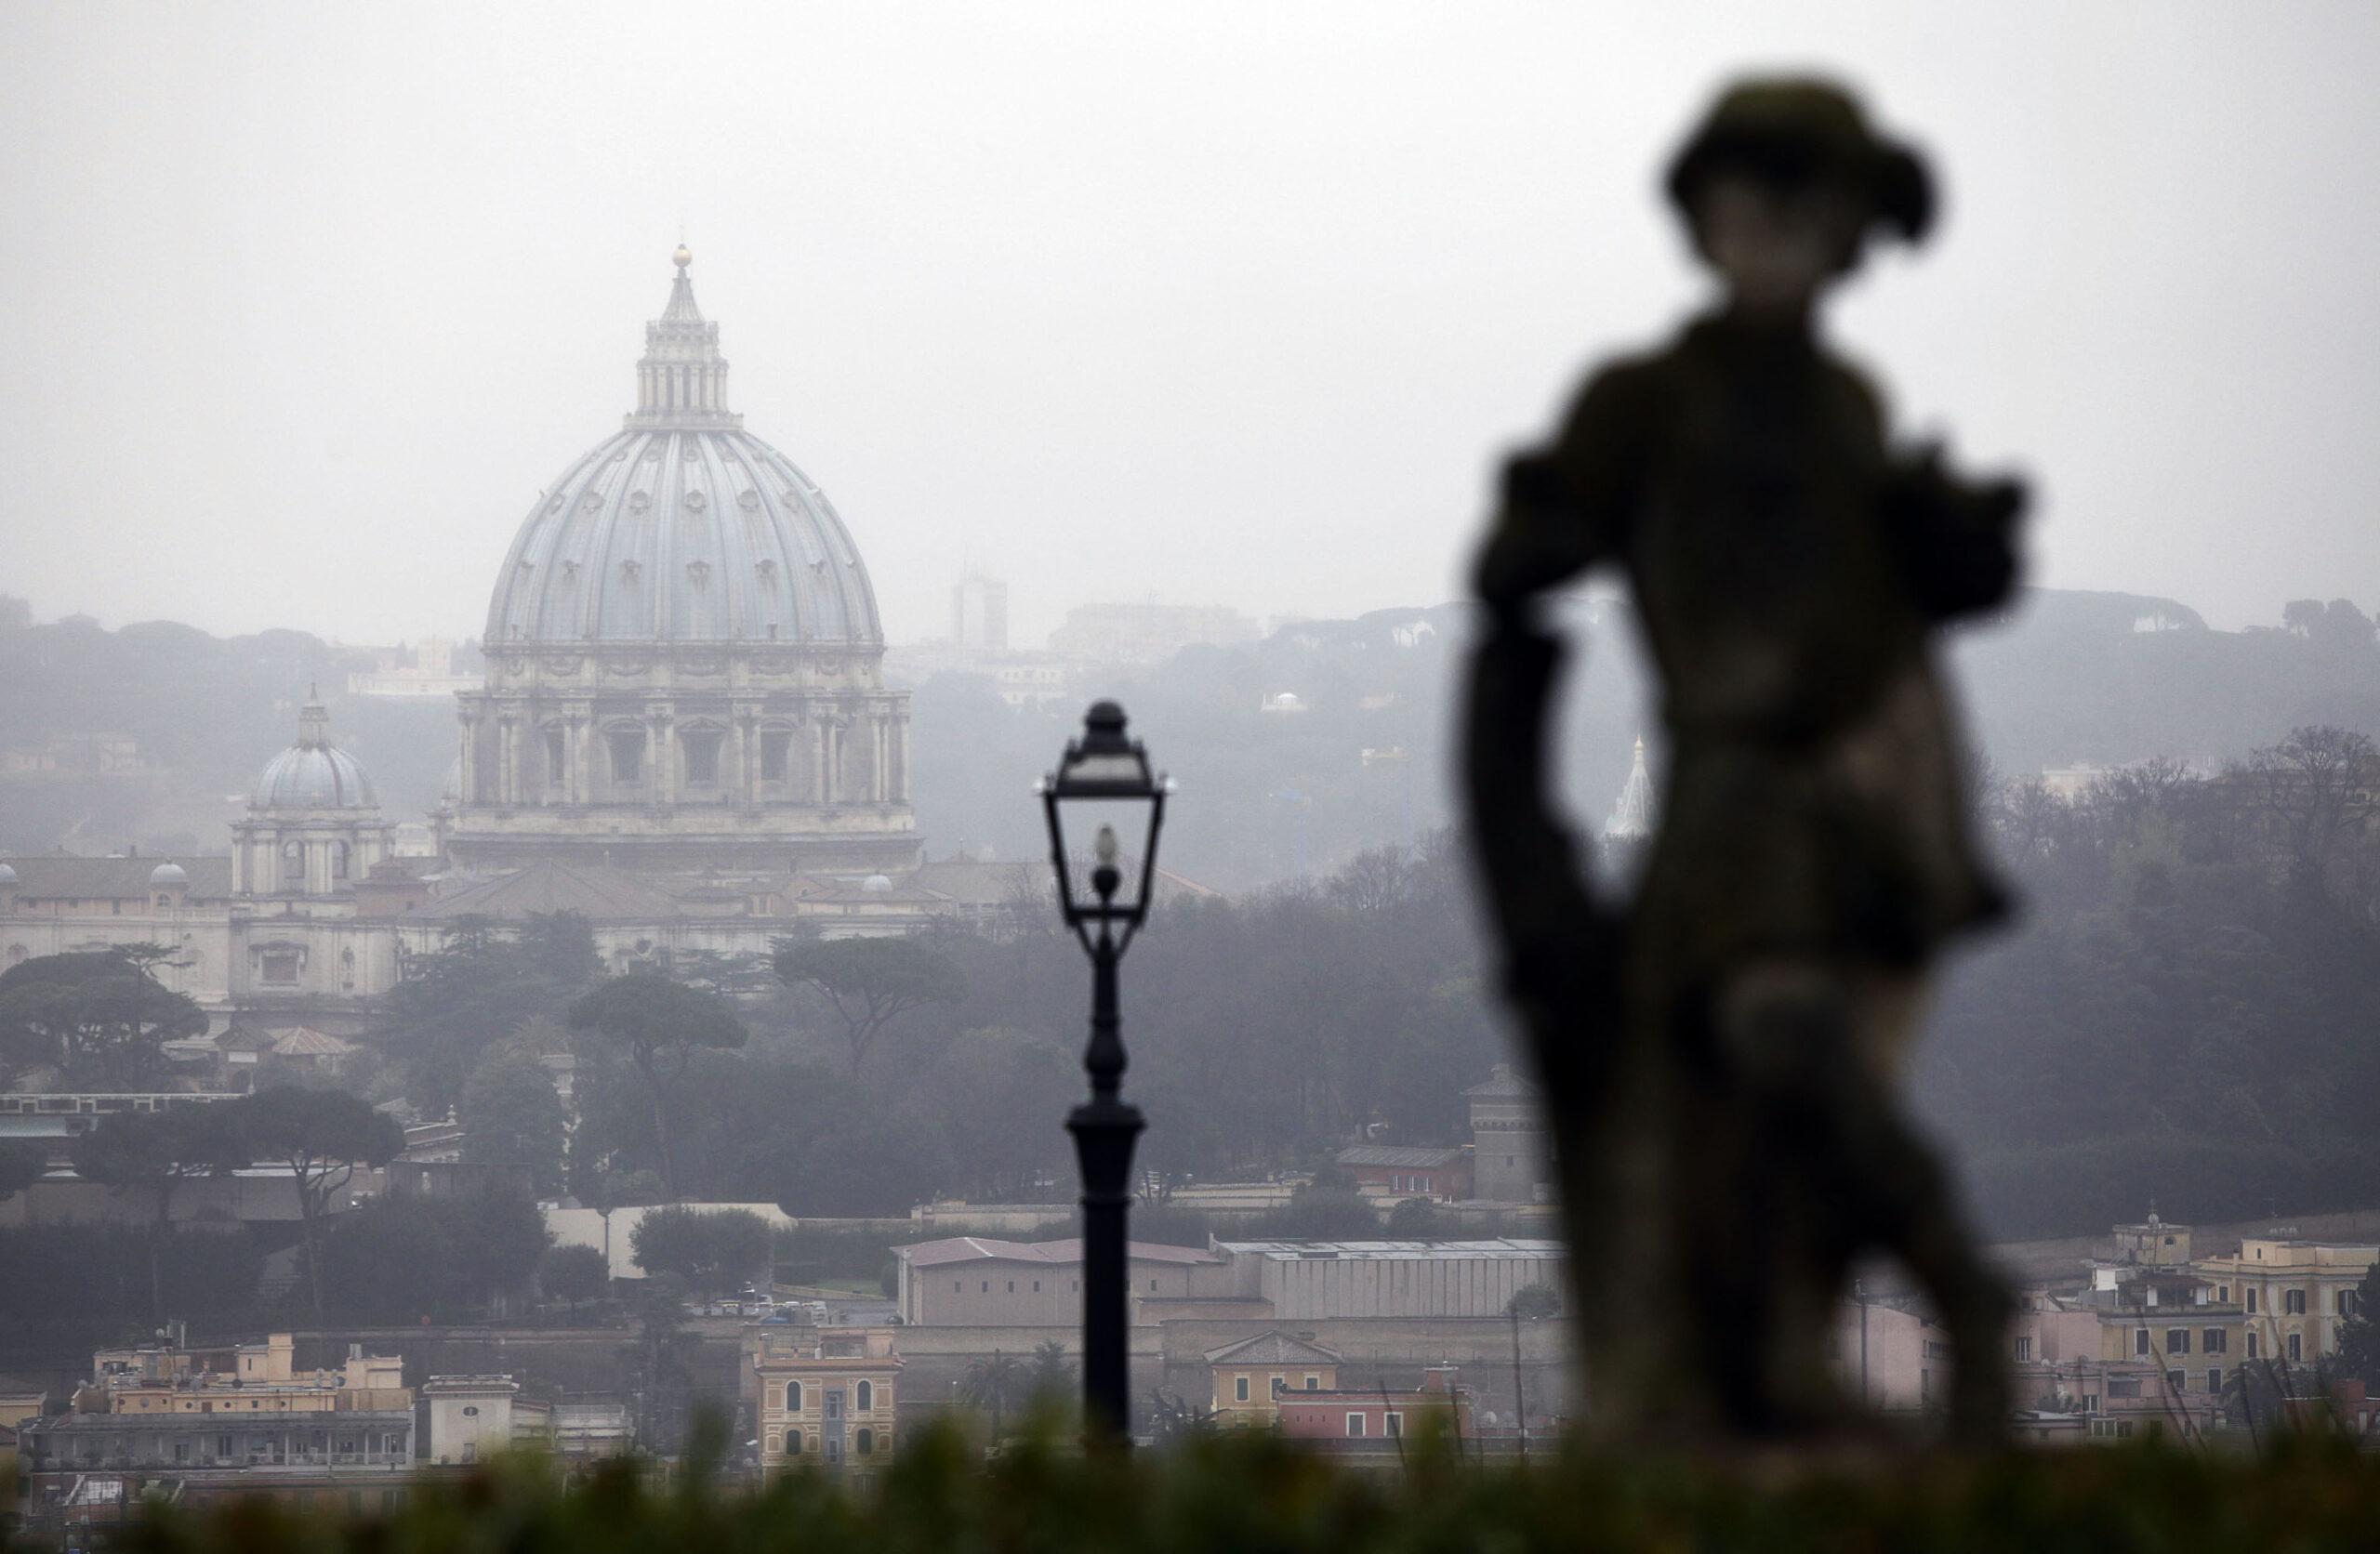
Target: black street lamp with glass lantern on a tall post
[(1106, 777)]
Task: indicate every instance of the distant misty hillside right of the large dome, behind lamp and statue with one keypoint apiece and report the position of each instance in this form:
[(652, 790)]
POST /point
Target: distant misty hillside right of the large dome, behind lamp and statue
[(2065, 679)]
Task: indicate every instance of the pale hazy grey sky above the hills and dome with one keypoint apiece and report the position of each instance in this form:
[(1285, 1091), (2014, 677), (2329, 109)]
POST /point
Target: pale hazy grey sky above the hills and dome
[(1203, 303)]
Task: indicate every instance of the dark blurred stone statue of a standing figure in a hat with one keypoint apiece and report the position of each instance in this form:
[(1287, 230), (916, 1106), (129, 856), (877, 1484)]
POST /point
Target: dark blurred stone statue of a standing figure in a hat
[(1724, 1055)]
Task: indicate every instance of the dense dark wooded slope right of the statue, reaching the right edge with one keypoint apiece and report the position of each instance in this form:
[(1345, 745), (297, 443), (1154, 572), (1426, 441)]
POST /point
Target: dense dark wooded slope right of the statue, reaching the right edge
[(2191, 1008)]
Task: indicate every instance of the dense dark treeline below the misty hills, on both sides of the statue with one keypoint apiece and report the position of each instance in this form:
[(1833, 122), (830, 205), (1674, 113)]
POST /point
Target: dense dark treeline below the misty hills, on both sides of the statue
[(2186, 1013)]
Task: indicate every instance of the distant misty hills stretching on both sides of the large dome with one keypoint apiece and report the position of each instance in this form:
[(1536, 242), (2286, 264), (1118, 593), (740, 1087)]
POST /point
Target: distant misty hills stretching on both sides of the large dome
[(1294, 753)]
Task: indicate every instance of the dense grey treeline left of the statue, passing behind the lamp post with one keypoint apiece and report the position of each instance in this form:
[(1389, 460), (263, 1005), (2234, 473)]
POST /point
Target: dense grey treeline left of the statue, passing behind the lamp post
[(1265, 1034)]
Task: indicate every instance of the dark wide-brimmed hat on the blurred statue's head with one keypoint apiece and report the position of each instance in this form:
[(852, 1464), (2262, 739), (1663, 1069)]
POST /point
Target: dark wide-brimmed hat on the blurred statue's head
[(1798, 132)]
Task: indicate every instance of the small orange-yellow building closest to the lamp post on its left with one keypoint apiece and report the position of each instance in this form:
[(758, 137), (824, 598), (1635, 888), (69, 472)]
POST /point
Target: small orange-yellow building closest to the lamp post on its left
[(825, 1398)]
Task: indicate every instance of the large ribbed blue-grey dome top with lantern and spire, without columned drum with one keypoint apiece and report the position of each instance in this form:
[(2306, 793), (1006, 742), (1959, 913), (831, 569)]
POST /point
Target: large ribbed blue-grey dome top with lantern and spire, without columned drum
[(684, 527)]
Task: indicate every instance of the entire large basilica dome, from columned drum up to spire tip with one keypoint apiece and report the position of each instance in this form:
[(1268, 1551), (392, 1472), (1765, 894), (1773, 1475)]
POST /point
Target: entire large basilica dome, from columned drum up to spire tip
[(684, 656)]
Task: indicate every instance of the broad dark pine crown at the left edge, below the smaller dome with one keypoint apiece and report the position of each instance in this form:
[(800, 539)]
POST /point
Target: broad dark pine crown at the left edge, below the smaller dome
[(99, 1015)]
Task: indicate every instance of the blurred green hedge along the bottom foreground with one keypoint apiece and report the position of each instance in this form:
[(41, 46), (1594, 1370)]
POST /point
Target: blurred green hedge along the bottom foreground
[(1258, 1496)]
